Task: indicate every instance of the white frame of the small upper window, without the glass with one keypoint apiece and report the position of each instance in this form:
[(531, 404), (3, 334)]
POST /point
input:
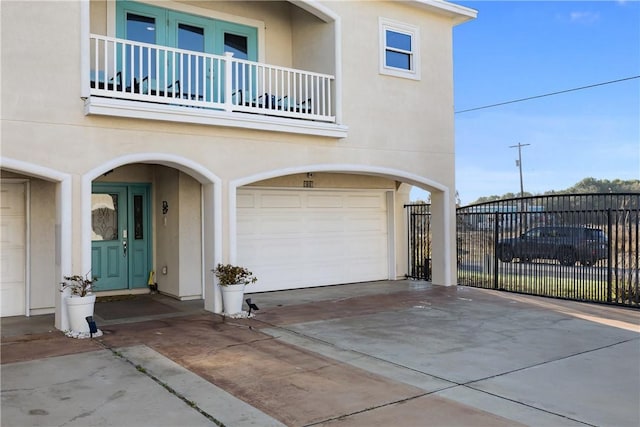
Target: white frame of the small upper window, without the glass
[(410, 30)]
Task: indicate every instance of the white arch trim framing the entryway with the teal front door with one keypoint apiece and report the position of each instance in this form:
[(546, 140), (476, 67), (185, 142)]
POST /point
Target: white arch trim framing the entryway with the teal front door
[(211, 202)]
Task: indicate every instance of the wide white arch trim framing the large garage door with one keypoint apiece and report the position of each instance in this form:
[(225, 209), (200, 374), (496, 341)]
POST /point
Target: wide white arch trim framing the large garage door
[(441, 208)]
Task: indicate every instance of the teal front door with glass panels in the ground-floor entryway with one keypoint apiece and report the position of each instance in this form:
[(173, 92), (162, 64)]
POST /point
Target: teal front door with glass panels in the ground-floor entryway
[(121, 236)]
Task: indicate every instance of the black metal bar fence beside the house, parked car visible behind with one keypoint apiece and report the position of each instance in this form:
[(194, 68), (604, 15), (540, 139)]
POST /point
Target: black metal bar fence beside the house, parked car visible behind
[(582, 247)]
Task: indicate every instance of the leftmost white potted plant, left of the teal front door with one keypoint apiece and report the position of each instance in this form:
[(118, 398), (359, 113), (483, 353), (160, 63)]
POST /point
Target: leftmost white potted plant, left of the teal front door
[(80, 301)]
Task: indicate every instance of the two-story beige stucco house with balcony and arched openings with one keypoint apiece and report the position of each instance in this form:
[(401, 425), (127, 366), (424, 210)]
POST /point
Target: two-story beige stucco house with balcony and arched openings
[(168, 136)]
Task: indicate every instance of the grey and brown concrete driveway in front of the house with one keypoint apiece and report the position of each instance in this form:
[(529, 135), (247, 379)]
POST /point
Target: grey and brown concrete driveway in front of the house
[(399, 353)]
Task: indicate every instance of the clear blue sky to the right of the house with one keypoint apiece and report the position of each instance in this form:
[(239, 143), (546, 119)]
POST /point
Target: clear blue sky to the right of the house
[(520, 49)]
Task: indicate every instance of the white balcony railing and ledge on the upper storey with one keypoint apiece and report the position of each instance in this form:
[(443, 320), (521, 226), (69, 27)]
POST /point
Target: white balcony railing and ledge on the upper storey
[(134, 79)]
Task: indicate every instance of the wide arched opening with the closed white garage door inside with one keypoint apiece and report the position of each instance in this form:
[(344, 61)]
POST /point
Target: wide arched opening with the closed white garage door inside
[(294, 231)]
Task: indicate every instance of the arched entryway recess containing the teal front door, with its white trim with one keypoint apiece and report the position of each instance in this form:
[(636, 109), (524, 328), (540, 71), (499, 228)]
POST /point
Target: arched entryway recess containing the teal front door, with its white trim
[(156, 216)]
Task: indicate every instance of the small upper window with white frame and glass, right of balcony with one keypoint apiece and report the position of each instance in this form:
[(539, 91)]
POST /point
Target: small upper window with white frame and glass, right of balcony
[(399, 49)]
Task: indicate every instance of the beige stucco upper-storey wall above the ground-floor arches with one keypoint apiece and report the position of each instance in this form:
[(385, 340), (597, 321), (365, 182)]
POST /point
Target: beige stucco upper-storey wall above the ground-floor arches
[(42, 108)]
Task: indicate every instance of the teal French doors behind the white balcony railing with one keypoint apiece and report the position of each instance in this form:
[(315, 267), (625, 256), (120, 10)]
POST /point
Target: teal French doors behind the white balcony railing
[(164, 27)]
